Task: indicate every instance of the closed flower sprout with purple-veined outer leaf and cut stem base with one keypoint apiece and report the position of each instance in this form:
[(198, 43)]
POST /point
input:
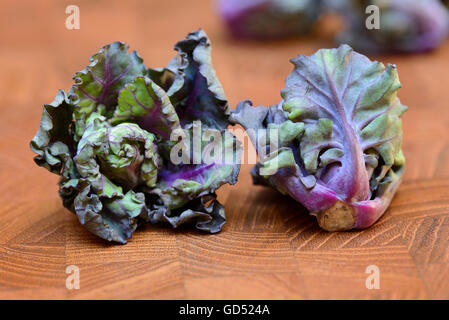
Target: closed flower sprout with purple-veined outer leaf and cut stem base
[(338, 137)]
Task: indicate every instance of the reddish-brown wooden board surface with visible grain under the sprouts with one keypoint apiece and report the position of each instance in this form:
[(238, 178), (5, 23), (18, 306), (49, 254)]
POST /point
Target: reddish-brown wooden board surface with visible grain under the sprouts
[(270, 247)]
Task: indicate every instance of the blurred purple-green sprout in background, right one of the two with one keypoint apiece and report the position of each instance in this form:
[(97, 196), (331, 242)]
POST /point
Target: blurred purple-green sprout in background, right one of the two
[(404, 25)]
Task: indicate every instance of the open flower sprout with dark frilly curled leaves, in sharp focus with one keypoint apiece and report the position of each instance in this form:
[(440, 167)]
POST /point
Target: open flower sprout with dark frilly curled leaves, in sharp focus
[(112, 139)]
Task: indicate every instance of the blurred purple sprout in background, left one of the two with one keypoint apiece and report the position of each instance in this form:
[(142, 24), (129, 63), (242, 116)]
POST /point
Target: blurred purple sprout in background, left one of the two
[(261, 19)]
